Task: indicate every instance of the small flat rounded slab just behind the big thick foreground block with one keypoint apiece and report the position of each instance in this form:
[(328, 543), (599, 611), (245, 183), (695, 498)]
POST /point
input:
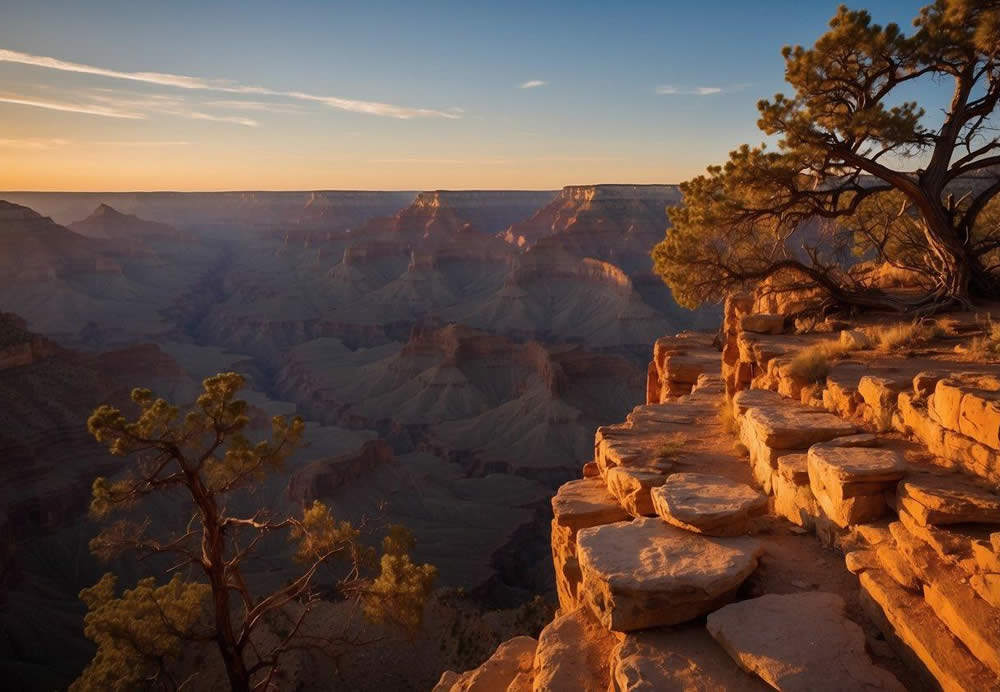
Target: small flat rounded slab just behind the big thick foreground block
[(707, 504)]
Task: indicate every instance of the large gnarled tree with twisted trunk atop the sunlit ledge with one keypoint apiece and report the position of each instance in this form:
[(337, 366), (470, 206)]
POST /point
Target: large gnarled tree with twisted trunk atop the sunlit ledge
[(858, 172)]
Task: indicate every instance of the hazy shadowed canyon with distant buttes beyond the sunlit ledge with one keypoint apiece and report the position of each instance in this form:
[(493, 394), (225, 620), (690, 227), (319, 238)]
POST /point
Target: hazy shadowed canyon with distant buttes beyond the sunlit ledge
[(450, 379)]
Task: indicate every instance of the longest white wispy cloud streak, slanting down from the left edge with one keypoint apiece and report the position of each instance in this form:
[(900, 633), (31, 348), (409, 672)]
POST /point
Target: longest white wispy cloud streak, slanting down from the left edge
[(229, 87)]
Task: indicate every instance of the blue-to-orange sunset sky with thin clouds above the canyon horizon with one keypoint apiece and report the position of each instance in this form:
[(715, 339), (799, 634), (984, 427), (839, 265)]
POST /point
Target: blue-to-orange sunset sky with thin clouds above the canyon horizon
[(142, 95)]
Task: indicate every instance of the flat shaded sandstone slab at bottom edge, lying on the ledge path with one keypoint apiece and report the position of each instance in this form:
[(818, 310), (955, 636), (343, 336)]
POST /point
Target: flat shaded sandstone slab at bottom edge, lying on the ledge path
[(799, 643)]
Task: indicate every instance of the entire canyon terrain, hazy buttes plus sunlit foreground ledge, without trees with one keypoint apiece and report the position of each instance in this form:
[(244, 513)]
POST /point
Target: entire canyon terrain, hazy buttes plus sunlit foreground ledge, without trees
[(461, 364)]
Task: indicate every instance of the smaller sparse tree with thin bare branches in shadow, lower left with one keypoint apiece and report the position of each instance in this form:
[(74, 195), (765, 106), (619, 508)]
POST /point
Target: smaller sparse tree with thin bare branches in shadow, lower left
[(202, 459)]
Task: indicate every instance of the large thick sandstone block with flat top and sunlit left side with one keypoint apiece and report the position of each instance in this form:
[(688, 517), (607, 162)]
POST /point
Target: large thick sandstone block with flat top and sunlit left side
[(646, 573)]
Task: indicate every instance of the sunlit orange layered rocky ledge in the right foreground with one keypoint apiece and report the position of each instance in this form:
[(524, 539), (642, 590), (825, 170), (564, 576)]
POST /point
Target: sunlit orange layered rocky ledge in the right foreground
[(749, 529)]
